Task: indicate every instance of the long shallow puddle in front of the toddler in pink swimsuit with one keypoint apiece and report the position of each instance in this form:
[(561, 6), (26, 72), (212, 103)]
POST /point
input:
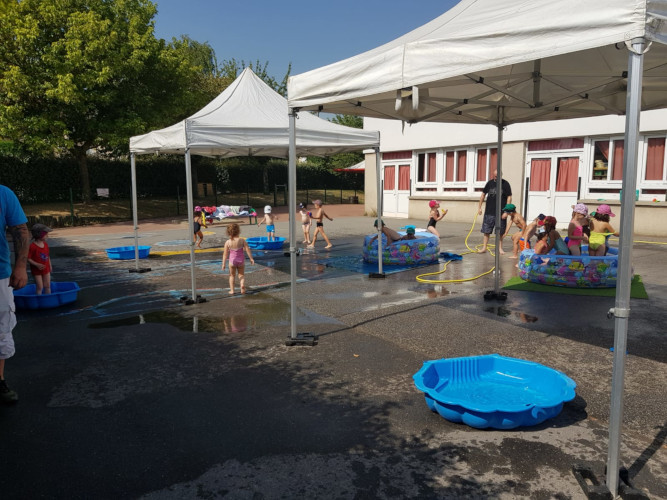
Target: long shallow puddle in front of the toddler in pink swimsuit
[(258, 315)]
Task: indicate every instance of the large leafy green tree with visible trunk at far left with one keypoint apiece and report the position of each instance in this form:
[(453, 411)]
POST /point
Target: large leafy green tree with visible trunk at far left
[(82, 74)]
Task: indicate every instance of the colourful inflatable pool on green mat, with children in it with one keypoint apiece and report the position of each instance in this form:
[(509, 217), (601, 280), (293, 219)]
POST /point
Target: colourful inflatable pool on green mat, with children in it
[(578, 271)]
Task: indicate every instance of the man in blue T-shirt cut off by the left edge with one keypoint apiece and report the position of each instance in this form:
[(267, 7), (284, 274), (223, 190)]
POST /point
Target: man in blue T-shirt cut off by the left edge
[(13, 221)]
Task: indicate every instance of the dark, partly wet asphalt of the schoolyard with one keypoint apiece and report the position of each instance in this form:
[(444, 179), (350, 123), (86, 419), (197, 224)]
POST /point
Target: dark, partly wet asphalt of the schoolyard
[(131, 393)]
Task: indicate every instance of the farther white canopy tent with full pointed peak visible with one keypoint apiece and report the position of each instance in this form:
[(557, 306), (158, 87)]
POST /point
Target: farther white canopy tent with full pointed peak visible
[(248, 118)]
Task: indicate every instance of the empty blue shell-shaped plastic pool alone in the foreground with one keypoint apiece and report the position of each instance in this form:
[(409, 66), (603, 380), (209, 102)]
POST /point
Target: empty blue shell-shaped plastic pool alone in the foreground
[(493, 391)]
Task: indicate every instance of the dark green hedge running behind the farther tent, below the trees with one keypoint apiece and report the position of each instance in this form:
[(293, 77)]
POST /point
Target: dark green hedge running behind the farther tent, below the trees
[(38, 180)]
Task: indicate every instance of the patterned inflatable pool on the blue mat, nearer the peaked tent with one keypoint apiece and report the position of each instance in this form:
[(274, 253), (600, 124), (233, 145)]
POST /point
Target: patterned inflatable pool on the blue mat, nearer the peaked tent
[(424, 249)]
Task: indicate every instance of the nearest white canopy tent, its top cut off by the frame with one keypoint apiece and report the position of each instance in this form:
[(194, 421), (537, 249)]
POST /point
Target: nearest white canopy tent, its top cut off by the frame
[(515, 61)]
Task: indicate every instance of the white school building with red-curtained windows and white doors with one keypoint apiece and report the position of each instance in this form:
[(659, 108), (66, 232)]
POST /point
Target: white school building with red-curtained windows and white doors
[(550, 166)]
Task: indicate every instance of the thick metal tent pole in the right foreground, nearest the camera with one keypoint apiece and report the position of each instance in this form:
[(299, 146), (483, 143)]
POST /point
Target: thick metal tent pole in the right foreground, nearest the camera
[(621, 310)]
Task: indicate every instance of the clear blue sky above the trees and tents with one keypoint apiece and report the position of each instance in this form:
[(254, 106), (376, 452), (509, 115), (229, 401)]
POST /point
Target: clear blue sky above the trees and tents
[(307, 33)]
